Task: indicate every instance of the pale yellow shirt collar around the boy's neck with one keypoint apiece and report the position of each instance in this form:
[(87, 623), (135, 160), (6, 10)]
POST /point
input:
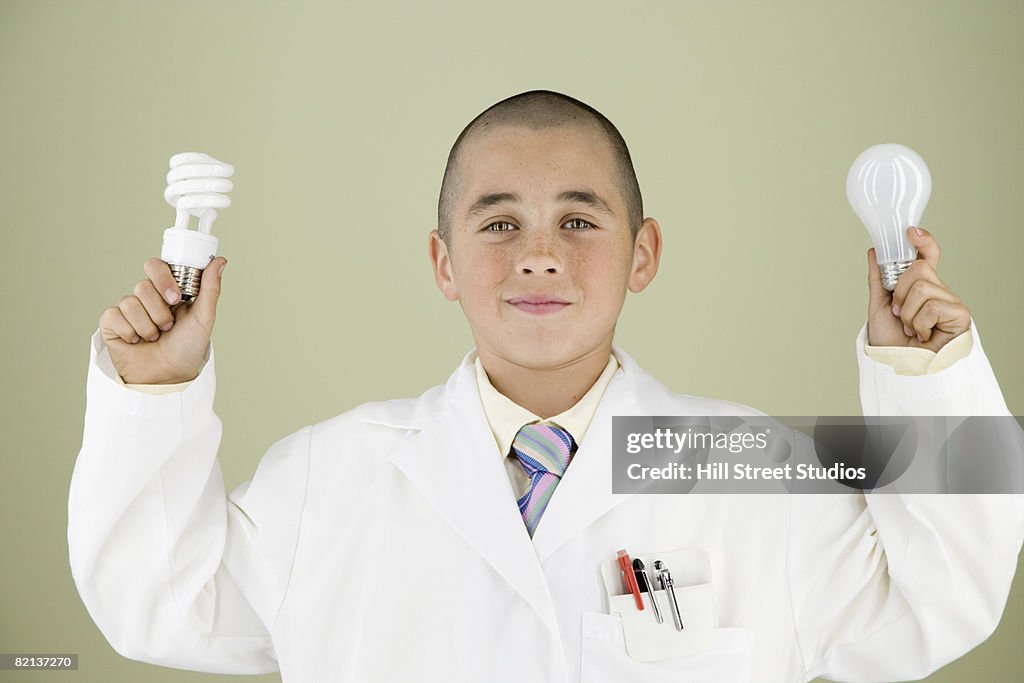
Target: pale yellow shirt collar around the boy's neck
[(505, 417)]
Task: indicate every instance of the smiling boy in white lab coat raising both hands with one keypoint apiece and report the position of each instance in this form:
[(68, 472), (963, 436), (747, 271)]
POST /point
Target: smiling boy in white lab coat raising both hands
[(458, 536)]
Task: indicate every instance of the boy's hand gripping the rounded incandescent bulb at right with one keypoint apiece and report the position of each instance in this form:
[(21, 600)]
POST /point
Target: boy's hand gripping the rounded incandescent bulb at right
[(922, 312)]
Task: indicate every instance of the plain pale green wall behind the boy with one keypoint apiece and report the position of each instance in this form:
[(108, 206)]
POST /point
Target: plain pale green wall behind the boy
[(743, 119)]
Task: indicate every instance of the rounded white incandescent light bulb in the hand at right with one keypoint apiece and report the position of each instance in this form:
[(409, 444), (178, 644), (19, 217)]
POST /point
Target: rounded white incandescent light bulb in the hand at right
[(889, 187)]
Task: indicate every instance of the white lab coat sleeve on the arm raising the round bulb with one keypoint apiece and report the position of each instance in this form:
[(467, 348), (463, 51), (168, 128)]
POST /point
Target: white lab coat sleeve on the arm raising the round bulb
[(893, 587)]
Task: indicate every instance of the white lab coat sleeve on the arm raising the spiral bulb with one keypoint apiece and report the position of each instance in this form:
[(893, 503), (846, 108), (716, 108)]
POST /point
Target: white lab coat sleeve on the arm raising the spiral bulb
[(172, 571)]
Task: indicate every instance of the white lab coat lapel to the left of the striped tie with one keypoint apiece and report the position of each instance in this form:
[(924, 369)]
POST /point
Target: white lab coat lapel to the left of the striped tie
[(454, 462)]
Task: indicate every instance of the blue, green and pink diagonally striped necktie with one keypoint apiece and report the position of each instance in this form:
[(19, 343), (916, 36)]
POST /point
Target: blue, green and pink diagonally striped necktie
[(544, 452)]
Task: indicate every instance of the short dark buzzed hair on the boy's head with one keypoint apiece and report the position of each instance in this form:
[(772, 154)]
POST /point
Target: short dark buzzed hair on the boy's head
[(540, 110)]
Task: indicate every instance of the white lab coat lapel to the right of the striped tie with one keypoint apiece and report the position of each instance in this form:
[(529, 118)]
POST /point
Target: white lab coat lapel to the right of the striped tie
[(585, 491)]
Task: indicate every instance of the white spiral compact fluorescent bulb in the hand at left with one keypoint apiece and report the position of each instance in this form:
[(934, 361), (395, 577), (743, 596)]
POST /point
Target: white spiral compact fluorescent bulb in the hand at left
[(196, 187)]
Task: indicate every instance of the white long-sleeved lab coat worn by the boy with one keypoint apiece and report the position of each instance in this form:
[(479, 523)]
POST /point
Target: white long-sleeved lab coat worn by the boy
[(386, 545)]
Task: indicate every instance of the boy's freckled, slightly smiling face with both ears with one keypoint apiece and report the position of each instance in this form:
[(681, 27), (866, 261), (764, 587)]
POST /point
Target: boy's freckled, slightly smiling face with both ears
[(542, 276)]
